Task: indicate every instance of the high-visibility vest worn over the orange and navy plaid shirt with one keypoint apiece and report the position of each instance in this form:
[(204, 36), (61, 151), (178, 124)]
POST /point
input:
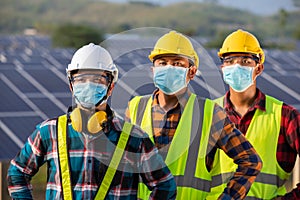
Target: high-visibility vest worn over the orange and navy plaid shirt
[(187, 151)]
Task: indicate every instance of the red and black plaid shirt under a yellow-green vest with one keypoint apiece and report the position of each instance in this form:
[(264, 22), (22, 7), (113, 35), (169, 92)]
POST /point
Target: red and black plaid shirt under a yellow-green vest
[(289, 135)]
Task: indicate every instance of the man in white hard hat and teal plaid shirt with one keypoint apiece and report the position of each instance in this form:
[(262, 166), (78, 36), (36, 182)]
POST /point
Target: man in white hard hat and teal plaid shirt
[(90, 152)]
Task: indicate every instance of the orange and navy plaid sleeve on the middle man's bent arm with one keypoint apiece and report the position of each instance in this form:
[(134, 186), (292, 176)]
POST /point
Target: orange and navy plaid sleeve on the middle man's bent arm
[(229, 139)]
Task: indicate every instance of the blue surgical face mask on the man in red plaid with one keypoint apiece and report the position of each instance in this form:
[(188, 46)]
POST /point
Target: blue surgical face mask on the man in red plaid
[(238, 77)]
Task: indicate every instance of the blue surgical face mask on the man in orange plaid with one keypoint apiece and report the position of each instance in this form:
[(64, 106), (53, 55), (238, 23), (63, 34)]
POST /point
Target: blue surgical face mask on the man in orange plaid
[(170, 79)]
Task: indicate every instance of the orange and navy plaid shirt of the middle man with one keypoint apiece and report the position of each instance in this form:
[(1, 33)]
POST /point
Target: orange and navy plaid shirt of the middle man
[(225, 137)]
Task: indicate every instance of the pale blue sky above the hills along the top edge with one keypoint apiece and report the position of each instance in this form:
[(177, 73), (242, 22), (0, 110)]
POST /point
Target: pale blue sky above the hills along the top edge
[(259, 7)]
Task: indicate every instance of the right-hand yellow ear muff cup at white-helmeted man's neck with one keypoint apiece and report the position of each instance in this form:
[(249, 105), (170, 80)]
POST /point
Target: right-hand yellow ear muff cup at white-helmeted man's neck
[(95, 122)]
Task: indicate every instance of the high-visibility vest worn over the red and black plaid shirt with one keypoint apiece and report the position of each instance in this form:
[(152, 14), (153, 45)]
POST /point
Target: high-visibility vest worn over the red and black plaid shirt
[(263, 133)]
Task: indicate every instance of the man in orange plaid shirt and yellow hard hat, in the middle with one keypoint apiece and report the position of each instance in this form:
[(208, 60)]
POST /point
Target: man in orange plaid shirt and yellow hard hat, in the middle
[(188, 129)]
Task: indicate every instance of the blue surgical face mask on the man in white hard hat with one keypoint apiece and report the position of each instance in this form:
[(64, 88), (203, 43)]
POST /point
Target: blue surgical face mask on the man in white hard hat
[(89, 94)]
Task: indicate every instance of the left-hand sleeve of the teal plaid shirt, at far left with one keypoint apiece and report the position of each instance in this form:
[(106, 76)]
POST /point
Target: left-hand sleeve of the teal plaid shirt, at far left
[(24, 166)]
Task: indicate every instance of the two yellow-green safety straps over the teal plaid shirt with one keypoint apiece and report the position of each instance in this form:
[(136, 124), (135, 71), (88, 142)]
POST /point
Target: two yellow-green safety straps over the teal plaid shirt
[(65, 173)]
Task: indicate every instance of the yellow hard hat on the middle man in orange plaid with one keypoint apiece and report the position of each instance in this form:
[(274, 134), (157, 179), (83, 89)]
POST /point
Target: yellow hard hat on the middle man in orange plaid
[(174, 43)]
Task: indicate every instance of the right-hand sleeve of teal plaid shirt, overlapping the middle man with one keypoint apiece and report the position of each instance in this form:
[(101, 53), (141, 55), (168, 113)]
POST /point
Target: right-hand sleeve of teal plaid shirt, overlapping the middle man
[(154, 172)]
